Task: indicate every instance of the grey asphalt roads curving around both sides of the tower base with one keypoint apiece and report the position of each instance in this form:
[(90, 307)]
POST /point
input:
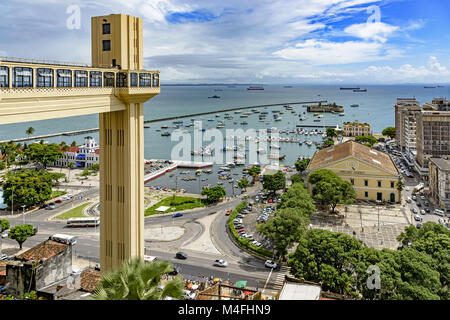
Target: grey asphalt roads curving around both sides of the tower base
[(241, 265)]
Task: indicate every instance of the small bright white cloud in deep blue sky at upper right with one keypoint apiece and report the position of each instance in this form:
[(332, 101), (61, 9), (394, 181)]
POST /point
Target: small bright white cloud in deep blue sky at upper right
[(377, 31)]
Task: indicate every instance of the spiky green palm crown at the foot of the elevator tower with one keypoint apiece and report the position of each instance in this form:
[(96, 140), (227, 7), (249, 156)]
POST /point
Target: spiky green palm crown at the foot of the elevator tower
[(139, 280)]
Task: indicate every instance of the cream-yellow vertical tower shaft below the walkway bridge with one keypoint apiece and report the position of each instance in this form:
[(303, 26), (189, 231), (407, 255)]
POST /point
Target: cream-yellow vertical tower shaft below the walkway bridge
[(121, 186)]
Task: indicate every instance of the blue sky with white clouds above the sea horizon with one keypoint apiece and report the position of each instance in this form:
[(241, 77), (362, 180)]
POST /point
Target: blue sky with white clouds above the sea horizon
[(252, 41)]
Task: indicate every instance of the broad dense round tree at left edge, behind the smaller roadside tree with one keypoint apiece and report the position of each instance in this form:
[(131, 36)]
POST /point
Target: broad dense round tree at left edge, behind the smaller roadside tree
[(30, 187)]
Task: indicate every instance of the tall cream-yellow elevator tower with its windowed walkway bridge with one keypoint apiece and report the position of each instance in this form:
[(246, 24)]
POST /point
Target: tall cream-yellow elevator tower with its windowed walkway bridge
[(115, 86)]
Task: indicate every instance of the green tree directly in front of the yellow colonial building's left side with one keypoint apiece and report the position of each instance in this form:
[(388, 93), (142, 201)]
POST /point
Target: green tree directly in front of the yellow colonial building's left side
[(330, 190)]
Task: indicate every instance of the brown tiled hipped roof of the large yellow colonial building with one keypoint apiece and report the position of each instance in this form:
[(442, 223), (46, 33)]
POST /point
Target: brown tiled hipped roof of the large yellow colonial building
[(352, 148)]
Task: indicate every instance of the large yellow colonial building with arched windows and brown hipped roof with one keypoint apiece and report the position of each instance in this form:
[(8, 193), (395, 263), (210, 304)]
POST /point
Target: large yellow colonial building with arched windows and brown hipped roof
[(371, 172)]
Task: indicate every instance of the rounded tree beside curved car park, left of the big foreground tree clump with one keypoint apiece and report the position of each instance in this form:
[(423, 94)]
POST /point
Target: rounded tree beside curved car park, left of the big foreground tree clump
[(284, 229)]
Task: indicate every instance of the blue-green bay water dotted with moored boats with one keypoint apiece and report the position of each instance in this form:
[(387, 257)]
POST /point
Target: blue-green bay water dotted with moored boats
[(375, 107)]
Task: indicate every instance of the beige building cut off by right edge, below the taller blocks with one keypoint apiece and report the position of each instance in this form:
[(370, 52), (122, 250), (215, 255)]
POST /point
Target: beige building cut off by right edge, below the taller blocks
[(439, 181)]
